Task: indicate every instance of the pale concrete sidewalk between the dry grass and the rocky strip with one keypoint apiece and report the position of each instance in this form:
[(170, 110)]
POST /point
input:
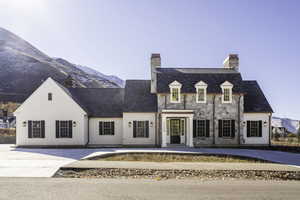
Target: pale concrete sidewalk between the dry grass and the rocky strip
[(180, 165)]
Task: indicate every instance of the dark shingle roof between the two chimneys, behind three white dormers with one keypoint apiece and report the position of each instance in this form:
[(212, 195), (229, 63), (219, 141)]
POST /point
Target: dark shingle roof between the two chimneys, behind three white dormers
[(188, 77)]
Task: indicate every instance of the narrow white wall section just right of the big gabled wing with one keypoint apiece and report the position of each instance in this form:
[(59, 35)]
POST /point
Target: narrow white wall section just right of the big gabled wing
[(96, 139)]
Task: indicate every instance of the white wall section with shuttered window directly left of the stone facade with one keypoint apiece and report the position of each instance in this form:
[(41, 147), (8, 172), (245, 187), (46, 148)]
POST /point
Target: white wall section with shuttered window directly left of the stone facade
[(128, 138)]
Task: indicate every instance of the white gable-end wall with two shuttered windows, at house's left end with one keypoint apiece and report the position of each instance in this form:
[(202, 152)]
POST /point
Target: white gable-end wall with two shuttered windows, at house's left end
[(62, 107)]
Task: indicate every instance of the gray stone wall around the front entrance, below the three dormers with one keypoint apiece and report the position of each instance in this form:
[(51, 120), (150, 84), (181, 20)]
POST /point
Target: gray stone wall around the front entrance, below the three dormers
[(205, 111)]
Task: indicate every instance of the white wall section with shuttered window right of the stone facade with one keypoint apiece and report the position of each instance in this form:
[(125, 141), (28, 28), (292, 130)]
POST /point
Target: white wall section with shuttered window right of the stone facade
[(265, 128)]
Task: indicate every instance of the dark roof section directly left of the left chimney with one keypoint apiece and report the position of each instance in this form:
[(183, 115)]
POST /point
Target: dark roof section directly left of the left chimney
[(138, 97)]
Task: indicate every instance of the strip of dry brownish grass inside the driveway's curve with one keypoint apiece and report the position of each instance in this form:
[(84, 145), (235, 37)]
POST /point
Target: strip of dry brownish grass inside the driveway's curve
[(163, 157)]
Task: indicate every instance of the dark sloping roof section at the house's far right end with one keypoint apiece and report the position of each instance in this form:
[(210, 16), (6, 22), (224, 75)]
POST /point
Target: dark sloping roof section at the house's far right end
[(254, 99)]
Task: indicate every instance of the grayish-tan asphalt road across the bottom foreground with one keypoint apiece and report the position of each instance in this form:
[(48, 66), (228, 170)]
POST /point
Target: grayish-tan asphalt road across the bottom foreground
[(133, 189)]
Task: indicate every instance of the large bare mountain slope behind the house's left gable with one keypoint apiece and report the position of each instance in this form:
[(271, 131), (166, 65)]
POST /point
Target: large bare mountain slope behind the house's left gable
[(23, 68)]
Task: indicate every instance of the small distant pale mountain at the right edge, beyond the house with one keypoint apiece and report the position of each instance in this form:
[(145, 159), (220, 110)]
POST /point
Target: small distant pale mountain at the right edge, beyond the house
[(291, 125)]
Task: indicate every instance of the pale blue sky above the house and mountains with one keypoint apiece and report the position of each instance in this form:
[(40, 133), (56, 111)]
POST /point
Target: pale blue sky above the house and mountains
[(118, 36)]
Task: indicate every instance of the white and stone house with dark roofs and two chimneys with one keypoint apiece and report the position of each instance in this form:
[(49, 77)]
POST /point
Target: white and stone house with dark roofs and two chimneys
[(190, 107)]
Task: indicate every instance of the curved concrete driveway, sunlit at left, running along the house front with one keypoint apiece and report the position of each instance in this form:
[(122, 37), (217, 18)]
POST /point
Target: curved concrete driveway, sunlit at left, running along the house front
[(26, 162)]
